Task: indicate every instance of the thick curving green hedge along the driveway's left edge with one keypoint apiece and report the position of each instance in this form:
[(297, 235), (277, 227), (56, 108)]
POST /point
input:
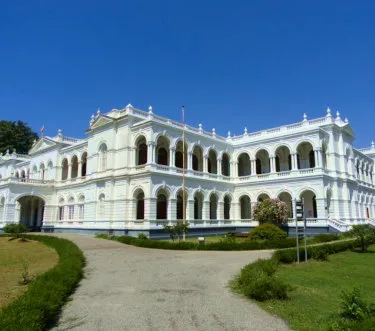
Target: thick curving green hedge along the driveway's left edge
[(39, 307)]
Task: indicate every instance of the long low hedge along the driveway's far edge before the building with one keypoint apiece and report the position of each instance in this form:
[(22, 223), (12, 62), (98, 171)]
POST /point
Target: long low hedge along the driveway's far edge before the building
[(223, 245)]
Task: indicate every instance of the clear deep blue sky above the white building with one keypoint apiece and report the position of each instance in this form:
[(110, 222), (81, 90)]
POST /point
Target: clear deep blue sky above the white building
[(232, 64)]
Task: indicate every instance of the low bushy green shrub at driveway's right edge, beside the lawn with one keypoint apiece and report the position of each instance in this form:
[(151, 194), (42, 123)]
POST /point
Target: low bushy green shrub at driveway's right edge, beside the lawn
[(257, 281)]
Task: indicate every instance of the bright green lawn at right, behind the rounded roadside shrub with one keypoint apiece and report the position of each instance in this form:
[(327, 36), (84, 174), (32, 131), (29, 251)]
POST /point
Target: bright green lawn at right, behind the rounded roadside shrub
[(315, 298)]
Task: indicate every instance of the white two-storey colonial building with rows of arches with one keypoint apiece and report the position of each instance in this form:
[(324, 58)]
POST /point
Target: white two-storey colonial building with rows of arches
[(126, 176)]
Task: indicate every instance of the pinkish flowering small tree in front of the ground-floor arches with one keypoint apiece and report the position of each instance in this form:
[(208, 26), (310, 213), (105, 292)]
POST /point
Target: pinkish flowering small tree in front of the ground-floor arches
[(272, 211)]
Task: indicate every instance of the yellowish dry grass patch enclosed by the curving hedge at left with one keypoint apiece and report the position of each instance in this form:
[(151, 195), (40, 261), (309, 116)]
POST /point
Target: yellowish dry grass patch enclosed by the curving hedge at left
[(13, 256)]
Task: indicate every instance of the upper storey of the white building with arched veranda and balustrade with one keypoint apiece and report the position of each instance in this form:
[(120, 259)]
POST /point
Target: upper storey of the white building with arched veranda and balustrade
[(130, 141)]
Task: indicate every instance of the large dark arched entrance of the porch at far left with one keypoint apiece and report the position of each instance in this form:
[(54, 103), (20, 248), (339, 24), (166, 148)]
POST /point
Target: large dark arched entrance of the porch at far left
[(31, 211)]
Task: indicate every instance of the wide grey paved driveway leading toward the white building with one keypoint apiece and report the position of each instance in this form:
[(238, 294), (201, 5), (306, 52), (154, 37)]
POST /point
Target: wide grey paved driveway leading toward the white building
[(132, 288)]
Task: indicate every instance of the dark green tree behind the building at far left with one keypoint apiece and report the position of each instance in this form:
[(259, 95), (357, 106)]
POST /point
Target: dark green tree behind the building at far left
[(16, 135)]
